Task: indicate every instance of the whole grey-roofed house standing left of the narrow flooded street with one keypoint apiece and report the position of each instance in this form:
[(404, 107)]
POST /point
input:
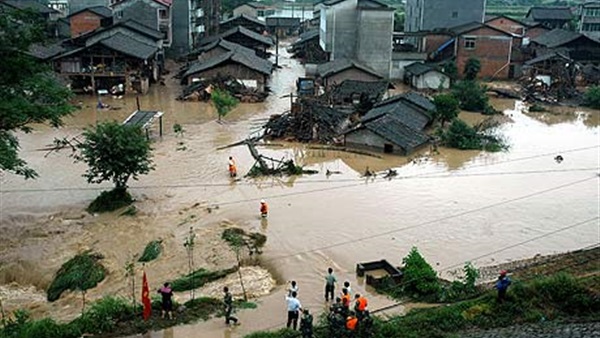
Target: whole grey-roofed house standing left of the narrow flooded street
[(249, 69)]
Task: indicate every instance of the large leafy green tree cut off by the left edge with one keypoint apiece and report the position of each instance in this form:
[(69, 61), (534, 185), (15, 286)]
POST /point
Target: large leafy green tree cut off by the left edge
[(29, 92)]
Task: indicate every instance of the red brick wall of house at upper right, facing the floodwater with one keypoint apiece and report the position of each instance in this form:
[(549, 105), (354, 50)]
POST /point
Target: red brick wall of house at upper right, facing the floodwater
[(492, 48)]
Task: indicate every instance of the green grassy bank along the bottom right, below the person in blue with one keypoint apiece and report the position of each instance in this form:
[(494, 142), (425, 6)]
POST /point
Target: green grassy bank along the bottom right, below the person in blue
[(557, 297)]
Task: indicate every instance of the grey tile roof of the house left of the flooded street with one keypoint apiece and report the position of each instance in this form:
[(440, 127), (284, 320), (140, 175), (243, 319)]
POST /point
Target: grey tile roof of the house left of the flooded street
[(251, 61)]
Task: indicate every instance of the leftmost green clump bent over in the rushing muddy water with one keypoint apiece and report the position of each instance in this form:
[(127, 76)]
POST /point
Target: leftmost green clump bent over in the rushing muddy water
[(80, 273)]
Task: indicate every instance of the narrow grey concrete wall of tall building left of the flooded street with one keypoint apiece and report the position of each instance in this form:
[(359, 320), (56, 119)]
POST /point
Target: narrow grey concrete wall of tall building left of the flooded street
[(182, 30)]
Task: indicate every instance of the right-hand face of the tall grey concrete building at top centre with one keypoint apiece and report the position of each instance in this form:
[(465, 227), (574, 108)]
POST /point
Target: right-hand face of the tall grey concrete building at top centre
[(374, 45)]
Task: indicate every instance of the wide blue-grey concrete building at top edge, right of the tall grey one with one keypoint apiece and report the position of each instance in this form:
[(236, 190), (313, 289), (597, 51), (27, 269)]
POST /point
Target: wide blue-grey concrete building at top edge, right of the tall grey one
[(427, 15)]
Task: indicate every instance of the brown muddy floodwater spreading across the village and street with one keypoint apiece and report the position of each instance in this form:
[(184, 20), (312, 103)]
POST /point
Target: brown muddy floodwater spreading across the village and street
[(455, 206)]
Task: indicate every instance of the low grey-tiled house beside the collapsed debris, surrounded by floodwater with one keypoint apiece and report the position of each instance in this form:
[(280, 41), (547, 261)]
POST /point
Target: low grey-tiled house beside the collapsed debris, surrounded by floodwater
[(393, 126)]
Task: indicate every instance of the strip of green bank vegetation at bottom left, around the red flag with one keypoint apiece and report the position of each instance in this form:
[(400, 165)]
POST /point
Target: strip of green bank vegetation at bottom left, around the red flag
[(110, 316)]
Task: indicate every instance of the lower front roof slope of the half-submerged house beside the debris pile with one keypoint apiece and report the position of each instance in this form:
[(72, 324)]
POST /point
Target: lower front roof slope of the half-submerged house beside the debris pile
[(394, 130)]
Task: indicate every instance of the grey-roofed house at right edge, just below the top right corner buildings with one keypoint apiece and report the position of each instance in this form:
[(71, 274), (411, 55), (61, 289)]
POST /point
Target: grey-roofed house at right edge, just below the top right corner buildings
[(577, 46)]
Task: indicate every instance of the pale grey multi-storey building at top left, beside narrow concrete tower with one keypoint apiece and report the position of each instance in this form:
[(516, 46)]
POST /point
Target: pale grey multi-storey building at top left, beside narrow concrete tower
[(155, 14)]
